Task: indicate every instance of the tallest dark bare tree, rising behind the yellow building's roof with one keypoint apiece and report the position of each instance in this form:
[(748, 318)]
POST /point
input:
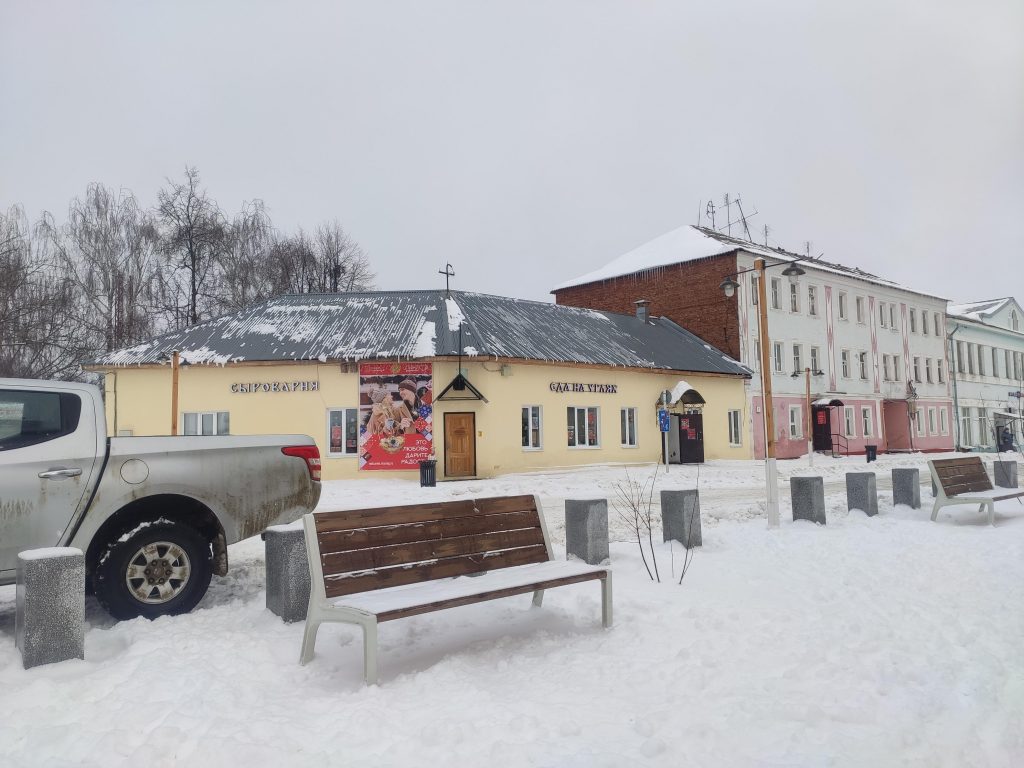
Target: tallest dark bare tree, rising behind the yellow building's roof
[(193, 233)]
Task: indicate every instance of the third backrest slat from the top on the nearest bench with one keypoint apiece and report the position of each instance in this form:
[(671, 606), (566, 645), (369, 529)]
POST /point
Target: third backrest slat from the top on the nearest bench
[(414, 552)]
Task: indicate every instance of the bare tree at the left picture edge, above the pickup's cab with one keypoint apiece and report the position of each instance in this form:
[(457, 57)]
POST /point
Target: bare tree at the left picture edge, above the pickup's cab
[(38, 335)]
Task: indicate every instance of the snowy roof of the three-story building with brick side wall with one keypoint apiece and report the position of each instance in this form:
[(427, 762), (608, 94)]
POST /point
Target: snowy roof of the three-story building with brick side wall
[(693, 243)]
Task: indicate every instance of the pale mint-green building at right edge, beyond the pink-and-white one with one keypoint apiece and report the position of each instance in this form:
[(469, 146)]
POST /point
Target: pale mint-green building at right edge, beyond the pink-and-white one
[(987, 351)]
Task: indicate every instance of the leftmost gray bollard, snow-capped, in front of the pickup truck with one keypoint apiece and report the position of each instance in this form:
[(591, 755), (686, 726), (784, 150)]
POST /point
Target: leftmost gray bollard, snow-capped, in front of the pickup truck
[(50, 618)]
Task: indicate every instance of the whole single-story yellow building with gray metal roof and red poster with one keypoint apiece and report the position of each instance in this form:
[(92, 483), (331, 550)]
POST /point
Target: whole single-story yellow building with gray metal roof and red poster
[(484, 385)]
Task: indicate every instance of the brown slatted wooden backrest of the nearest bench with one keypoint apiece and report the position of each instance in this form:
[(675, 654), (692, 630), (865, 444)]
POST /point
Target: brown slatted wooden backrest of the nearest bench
[(369, 549)]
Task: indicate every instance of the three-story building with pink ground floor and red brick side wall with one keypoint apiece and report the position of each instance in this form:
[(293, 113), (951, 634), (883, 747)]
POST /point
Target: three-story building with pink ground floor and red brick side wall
[(875, 350)]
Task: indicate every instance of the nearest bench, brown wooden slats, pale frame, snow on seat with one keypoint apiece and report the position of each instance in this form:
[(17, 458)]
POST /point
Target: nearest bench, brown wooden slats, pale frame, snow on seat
[(373, 566)]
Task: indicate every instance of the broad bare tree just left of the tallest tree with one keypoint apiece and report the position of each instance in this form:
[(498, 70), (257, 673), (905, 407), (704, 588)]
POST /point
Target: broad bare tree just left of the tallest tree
[(106, 250)]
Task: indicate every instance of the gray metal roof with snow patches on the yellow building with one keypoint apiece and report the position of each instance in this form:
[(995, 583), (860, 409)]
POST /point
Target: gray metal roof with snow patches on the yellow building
[(389, 325)]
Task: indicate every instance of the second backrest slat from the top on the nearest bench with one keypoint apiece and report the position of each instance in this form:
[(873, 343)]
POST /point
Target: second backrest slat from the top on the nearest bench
[(346, 541)]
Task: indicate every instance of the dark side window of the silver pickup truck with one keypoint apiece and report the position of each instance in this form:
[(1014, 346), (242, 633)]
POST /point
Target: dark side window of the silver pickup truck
[(29, 418)]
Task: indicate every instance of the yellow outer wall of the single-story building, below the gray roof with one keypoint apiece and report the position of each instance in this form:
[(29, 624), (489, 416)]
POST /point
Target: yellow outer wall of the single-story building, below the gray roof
[(142, 400)]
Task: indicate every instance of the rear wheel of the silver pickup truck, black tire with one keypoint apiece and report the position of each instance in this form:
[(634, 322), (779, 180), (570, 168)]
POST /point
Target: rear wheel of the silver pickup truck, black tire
[(159, 570)]
